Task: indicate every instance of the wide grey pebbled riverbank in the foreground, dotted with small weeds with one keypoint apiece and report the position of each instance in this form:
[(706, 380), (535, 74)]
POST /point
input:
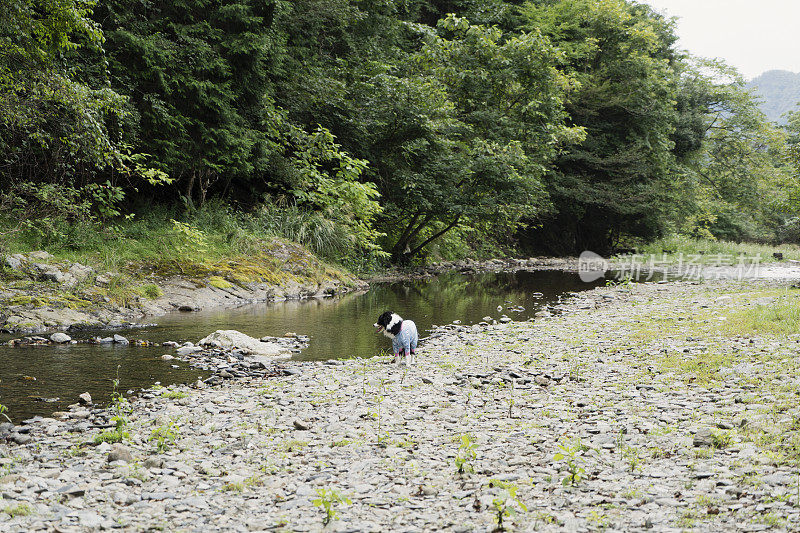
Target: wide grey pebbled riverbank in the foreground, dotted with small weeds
[(645, 407)]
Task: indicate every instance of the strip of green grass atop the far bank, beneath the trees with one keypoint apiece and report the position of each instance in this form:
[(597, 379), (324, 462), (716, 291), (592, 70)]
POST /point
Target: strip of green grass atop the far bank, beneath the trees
[(160, 236)]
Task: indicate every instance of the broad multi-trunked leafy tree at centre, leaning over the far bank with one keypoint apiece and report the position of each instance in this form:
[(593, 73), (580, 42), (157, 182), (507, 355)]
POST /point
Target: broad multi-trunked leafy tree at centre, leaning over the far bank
[(465, 133)]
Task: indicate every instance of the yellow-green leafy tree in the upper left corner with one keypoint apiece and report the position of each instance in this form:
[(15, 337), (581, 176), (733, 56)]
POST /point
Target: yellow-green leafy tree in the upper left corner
[(54, 127)]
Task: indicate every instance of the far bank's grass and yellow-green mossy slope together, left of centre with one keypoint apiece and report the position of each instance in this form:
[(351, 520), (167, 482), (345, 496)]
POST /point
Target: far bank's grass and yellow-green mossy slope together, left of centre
[(214, 246)]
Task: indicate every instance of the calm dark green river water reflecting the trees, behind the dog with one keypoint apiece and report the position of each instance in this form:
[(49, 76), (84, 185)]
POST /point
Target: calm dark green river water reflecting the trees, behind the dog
[(31, 378)]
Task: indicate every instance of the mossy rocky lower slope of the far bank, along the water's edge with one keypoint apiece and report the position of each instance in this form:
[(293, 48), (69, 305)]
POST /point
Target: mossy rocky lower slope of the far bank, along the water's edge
[(40, 294)]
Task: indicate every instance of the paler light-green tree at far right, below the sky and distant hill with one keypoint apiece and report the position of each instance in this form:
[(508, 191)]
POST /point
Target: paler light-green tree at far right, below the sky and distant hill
[(735, 176)]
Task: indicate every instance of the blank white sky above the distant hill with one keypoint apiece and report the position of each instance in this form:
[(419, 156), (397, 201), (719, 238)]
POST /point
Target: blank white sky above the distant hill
[(752, 35)]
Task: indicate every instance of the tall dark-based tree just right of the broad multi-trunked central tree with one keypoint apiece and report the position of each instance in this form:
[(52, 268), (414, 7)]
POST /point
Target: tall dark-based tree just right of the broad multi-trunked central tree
[(618, 179)]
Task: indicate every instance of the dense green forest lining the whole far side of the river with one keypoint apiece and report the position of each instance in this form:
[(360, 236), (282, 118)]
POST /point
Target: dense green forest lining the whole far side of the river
[(378, 131)]
